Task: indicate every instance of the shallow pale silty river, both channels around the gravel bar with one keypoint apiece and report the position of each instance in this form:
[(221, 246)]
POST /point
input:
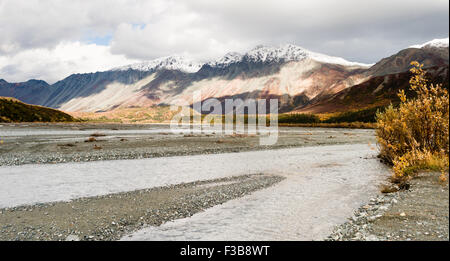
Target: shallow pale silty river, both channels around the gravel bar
[(323, 185)]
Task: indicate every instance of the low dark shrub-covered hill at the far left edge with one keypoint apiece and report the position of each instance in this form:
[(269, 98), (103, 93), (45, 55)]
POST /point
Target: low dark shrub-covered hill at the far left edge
[(12, 110)]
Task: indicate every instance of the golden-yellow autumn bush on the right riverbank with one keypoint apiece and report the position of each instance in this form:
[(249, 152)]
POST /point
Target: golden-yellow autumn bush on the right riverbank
[(415, 135)]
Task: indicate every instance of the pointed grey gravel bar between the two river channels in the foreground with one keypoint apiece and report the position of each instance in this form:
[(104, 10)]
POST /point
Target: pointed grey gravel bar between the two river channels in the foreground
[(112, 216)]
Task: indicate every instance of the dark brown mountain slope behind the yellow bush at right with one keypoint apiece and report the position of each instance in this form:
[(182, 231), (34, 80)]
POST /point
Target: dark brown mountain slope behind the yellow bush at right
[(386, 78)]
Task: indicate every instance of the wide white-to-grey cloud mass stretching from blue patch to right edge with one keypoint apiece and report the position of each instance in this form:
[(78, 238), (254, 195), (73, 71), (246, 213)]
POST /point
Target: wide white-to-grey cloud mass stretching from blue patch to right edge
[(205, 29)]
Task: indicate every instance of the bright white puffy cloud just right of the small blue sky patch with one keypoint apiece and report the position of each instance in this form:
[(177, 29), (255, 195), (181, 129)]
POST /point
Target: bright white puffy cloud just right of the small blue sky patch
[(170, 36)]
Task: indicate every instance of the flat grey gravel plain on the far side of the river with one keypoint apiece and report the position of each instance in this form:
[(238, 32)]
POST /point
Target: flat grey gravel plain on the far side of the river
[(60, 143)]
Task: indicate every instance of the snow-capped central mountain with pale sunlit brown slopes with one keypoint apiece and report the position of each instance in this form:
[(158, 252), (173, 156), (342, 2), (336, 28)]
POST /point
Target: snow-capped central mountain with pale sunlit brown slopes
[(271, 71)]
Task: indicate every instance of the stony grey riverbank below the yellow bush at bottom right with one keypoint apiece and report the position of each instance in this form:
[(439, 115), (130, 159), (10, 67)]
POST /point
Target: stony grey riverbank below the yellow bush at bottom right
[(420, 213)]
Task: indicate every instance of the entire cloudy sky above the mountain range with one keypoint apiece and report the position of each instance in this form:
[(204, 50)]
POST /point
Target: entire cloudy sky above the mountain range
[(51, 39)]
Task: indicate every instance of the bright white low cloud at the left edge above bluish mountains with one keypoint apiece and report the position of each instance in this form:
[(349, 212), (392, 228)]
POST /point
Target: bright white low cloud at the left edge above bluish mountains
[(59, 62)]
